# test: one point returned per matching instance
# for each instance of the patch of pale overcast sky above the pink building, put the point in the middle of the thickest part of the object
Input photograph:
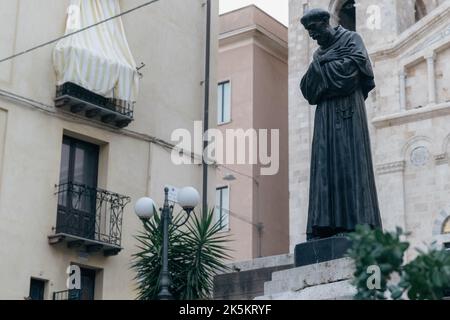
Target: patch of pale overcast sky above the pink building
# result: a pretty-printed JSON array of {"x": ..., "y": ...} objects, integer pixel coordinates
[{"x": 279, "y": 9}]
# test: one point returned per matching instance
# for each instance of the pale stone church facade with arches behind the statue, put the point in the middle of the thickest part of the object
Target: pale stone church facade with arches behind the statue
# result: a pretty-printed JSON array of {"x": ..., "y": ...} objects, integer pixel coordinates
[{"x": 409, "y": 111}]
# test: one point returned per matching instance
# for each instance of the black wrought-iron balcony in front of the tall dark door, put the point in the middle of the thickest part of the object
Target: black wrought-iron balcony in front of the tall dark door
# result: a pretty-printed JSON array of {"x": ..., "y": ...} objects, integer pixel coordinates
[{"x": 89, "y": 218}]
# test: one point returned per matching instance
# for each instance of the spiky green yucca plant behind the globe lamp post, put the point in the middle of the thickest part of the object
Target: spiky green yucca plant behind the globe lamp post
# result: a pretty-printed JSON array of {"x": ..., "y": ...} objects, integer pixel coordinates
[{"x": 196, "y": 253}]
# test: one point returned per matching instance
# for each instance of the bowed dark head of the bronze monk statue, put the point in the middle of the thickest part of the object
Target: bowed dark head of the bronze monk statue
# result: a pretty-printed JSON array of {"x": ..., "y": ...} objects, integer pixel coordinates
[{"x": 317, "y": 23}]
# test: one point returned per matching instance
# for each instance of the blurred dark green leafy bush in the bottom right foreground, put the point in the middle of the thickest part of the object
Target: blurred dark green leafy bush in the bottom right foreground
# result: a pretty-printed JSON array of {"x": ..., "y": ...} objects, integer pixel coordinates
[{"x": 425, "y": 278}]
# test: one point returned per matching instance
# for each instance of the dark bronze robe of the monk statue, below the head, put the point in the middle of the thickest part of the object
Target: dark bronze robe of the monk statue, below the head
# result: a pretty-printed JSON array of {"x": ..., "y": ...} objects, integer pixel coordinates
[{"x": 342, "y": 188}]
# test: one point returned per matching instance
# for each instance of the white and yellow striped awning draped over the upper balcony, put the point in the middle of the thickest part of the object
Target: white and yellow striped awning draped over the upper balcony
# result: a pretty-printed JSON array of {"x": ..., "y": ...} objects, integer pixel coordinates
[{"x": 98, "y": 59}]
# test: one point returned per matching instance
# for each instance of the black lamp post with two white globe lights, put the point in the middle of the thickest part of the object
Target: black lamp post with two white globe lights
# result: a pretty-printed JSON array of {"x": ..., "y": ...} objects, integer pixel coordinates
[{"x": 188, "y": 199}]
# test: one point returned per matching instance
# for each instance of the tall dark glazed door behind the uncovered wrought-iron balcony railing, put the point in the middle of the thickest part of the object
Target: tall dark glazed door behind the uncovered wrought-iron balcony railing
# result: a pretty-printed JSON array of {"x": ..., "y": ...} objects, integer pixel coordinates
[{"x": 78, "y": 180}]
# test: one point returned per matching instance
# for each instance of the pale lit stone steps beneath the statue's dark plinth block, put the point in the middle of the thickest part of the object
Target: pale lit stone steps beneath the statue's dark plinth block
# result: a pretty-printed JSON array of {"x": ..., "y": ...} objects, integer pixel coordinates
[{"x": 324, "y": 281}]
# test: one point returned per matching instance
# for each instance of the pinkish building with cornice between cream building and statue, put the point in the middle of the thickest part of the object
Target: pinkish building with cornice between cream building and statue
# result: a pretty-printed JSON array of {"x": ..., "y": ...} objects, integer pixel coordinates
[{"x": 253, "y": 93}]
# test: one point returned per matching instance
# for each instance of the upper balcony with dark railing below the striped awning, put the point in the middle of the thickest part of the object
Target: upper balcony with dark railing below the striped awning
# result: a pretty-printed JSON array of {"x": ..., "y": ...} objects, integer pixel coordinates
[{"x": 77, "y": 100}]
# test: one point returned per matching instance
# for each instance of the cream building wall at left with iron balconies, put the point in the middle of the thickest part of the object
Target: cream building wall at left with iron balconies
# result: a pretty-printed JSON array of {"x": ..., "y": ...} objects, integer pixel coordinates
[{"x": 169, "y": 37}]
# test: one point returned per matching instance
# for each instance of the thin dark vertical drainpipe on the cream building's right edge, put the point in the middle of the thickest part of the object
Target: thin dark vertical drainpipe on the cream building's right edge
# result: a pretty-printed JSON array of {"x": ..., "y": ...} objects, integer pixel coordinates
[{"x": 206, "y": 105}]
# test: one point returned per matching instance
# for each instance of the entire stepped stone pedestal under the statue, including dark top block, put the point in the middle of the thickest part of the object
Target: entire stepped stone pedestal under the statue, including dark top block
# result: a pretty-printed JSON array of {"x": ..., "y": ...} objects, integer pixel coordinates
[{"x": 317, "y": 271}]
